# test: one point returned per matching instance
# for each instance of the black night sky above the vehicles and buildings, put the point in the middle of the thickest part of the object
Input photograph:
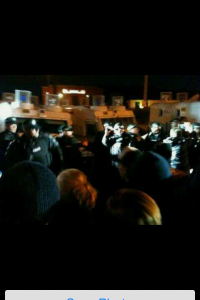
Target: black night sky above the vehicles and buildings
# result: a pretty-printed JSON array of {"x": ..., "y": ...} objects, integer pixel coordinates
[{"x": 133, "y": 83}]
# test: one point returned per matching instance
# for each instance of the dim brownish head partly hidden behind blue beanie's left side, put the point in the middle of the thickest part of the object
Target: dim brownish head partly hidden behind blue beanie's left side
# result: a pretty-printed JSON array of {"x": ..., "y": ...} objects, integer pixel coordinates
[{"x": 127, "y": 159}]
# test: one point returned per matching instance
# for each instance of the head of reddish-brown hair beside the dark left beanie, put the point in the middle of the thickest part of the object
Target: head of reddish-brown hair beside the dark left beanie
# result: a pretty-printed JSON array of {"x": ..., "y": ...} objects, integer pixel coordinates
[{"x": 74, "y": 183}]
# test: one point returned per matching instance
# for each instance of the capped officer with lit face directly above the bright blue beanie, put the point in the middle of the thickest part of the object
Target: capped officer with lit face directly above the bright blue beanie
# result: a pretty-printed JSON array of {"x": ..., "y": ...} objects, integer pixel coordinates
[{"x": 155, "y": 136}]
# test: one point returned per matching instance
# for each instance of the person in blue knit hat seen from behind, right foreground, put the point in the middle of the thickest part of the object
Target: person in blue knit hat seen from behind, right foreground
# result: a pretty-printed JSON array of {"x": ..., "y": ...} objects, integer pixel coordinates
[{"x": 151, "y": 174}]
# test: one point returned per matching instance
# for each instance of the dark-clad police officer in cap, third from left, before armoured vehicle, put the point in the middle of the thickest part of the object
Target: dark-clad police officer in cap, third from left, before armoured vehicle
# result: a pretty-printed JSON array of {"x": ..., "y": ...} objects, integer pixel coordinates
[{"x": 72, "y": 157}]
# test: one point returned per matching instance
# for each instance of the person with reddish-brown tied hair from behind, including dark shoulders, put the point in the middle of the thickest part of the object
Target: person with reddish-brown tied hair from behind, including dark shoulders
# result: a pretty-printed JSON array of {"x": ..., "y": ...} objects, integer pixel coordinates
[{"x": 78, "y": 200}]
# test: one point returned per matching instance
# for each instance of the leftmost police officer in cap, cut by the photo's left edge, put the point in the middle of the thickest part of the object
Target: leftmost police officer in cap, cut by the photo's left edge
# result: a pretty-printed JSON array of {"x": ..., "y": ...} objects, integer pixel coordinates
[{"x": 6, "y": 137}]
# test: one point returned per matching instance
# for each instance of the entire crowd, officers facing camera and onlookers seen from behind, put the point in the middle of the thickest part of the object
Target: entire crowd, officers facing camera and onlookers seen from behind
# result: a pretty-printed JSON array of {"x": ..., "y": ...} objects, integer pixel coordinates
[{"x": 150, "y": 179}]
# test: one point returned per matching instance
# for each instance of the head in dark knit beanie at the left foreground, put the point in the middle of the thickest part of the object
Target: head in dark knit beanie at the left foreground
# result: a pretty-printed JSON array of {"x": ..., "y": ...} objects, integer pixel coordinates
[{"x": 27, "y": 190}]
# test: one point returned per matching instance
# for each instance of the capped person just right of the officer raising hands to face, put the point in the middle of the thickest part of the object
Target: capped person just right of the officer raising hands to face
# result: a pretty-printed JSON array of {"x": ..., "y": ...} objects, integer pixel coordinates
[{"x": 136, "y": 140}]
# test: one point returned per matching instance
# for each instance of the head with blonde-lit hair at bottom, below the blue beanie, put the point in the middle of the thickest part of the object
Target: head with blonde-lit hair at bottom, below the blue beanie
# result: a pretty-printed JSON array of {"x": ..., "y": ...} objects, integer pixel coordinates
[{"x": 131, "y": 207}]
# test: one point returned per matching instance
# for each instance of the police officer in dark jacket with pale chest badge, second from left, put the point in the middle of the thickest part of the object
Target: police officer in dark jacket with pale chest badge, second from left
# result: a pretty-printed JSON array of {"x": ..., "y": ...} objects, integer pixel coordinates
[{"x": 34, "y": 146}]
